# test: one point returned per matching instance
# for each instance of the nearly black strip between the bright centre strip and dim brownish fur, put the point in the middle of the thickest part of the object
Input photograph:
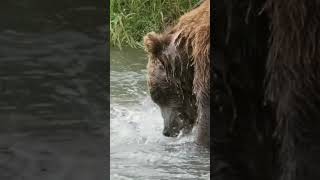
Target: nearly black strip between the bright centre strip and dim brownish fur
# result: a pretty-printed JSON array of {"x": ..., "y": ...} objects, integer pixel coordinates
[{"x": 242, "y": 124}]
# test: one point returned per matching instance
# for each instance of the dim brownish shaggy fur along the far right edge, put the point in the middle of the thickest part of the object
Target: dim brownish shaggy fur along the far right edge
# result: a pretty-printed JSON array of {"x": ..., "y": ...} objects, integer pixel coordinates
[{"x": 293, "y": 85}]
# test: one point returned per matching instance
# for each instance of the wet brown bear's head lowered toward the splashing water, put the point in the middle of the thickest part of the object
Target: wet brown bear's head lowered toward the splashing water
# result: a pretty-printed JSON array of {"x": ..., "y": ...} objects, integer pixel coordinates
[{"x": 170, "y": 77}]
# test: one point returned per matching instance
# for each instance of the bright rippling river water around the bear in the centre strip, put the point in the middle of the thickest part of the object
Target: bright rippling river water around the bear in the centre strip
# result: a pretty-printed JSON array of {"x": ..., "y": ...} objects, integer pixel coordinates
[{"x": 138, "y": 150}]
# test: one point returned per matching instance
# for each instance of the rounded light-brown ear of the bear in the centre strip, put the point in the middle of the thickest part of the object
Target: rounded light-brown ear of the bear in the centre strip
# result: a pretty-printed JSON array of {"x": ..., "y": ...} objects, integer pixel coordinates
[{"x": 153, "y": 44}]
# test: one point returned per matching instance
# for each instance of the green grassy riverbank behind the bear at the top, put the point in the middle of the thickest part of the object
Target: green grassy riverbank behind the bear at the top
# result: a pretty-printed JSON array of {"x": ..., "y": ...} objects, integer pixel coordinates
[{"x": 130, "y": 20}]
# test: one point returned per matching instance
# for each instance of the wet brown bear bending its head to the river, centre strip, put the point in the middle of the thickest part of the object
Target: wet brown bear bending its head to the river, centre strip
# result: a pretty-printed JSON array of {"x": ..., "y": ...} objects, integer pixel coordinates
[{"x": 178, "y": 69}]
